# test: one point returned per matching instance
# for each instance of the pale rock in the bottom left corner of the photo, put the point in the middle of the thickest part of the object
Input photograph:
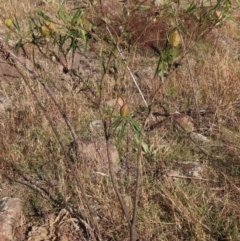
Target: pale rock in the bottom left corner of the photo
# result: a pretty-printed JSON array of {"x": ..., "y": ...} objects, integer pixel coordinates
[{"x": 10, "y": 211}]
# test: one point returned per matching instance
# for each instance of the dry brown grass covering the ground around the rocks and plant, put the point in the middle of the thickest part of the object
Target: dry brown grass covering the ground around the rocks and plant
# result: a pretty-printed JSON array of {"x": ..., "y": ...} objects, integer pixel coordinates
[{"x": 35, "y": 168}]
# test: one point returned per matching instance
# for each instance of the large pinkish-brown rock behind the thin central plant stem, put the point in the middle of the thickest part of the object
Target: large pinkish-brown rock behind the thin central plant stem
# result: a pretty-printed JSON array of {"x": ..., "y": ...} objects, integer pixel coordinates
[{"x": 93, "y": 154}]
